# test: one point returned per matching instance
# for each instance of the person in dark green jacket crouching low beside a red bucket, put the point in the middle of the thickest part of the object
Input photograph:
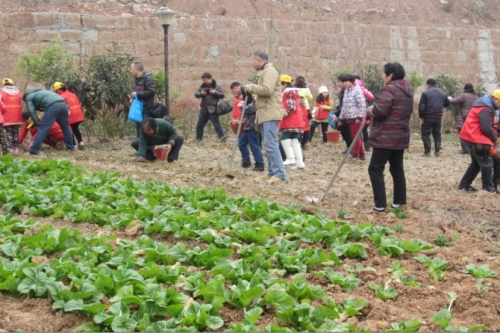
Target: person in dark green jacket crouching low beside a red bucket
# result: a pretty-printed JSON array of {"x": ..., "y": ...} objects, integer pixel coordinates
[{"x": 155, "y": 133}]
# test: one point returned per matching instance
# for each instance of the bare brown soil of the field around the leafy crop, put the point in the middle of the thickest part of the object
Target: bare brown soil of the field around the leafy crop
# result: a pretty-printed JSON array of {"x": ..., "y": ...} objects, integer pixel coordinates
[{"x": 435, "y": 206}]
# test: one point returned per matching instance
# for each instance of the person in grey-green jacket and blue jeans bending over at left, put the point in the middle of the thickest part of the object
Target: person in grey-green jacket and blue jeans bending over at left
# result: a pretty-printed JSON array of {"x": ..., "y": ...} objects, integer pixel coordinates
[{"x": 54, "y": 109}]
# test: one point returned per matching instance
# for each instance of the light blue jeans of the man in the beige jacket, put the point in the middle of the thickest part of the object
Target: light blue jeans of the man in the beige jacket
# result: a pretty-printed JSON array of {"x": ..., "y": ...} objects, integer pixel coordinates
[{"x": 274, "y": 160}]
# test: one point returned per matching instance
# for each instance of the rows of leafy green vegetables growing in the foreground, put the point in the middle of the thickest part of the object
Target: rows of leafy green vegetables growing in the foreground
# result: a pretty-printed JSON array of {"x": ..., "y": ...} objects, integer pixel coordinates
[{"x": 241, "y": 253}]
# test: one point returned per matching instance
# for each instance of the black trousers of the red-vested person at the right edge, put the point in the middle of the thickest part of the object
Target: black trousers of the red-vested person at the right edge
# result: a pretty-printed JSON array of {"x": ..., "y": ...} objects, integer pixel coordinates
[{"x": 480, "y": 161}]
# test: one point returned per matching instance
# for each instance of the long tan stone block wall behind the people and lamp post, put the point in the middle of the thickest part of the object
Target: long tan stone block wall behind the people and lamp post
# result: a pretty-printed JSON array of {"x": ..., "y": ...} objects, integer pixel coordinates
[{"x": 224, "y": 46}]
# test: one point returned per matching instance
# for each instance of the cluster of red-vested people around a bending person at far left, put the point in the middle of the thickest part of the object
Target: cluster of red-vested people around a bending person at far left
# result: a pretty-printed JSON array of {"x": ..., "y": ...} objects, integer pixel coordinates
[{"x": 61, "y": 109}]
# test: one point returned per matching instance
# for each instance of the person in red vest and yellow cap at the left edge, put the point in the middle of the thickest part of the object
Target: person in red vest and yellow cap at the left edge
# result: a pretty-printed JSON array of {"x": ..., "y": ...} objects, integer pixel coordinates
[{"x": 10, "y": 107}]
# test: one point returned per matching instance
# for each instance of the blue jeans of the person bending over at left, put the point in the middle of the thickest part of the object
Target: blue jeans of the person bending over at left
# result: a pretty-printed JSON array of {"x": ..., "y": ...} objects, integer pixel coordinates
[{"x": 57, "y": 112}]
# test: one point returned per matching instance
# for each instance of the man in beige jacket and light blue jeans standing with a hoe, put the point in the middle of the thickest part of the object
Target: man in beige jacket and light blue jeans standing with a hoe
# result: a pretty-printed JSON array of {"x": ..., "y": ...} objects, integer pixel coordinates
[{"x": 269, "y": 112}]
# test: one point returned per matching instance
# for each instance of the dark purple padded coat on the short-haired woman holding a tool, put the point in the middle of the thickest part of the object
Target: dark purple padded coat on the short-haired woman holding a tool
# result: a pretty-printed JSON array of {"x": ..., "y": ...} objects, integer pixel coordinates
[{"x": 392, "y": 110}]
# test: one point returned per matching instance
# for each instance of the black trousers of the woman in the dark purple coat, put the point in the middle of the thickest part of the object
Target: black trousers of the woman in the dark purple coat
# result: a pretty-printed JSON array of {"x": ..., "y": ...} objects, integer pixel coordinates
[{"x": 379, "y": 159}]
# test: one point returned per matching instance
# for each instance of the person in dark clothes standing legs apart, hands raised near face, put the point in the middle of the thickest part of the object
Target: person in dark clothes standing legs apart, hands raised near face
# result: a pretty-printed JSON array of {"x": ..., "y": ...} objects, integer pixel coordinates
[{"x": 210, "y": 92}]
